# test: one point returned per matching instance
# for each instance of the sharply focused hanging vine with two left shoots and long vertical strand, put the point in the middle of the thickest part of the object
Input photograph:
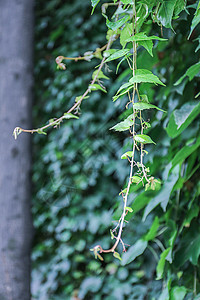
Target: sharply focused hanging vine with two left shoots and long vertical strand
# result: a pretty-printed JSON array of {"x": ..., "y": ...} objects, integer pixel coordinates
[{"x": 128, "y": 19}]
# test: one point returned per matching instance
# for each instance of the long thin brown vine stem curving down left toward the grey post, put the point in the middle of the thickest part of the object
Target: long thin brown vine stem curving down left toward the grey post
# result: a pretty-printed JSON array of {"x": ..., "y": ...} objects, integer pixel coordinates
[{"x": 55, "y": 122}]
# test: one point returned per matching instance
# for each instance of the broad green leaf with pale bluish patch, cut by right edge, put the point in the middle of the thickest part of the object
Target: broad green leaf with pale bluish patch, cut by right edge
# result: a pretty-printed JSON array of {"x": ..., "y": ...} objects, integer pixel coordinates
[{"x": 181, "y": 118}]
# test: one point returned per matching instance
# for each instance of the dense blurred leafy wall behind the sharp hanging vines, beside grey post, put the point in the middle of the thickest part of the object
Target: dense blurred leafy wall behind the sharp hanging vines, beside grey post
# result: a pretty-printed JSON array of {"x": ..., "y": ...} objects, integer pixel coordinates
[{"x": 78, "y": 172}]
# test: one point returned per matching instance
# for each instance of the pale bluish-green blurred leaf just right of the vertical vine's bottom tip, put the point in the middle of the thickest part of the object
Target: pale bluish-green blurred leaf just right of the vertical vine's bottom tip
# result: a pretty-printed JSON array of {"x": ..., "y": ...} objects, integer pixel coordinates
[{"x": 133, "y": 252}]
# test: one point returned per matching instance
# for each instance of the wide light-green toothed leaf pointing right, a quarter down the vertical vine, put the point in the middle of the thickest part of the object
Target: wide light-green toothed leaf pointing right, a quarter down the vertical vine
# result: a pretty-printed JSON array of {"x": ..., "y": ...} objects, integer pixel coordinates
[{"x": 142, "y": 75}]
